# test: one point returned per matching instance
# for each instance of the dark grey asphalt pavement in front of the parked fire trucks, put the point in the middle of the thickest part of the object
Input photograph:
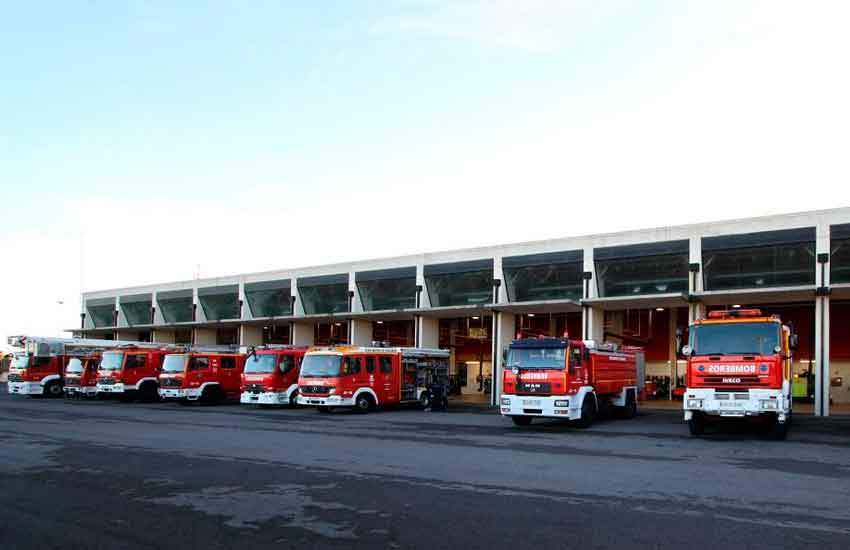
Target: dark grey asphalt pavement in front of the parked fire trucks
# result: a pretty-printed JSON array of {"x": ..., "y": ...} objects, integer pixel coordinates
[{"x": 94, "y": 474}]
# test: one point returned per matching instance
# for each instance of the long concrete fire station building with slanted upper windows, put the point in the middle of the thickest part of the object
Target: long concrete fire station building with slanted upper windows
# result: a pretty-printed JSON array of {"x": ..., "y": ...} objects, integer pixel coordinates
[{"x": 638, "y": 288}]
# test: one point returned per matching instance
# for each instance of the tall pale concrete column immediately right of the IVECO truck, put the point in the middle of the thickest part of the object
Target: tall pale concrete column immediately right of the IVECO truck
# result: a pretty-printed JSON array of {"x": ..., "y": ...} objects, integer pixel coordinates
[{"x": 822, "y": 377}]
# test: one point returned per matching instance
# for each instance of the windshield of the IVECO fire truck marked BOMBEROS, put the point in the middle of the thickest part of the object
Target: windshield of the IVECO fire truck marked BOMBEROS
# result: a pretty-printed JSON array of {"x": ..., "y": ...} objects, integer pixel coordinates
[{"x": 735, "y": 339}]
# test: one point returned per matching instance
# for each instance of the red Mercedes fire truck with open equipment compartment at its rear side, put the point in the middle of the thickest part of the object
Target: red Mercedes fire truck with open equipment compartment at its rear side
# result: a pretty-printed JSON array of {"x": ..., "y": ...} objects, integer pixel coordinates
[{"x": 369, "y": 377}]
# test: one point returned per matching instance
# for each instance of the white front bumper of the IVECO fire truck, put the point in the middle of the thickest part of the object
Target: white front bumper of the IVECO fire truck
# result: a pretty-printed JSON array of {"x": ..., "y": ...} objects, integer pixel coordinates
[{"x": 740, "y": 404}]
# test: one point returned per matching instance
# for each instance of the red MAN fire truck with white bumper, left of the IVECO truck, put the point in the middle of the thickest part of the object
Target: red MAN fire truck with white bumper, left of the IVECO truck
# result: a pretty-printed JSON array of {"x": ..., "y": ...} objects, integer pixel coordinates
[{"x": 569, "y": 379}]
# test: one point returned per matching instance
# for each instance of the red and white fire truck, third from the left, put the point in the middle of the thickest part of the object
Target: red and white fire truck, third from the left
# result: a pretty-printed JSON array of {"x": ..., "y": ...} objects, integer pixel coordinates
[{"x": 132, "y": 371}]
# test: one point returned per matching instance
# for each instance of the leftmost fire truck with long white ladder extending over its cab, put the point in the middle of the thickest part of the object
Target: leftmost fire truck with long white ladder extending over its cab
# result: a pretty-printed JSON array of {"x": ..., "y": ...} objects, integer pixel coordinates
[{"x": 40, "y": 369}]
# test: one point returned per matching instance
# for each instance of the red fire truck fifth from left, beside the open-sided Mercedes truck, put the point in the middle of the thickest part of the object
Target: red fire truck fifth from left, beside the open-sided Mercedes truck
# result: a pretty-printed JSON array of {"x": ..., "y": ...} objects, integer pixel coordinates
[{"x": 271, "y": 375}]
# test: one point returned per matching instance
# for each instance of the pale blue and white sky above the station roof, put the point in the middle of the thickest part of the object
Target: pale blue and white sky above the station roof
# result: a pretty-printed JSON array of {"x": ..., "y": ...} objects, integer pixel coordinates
[{"x": 145, "y": 141}]
